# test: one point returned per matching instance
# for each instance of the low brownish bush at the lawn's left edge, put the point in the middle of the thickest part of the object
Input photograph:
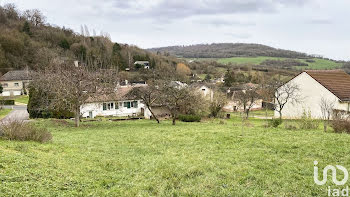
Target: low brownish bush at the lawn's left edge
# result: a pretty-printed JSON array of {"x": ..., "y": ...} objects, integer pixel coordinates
[{"x": 20, "y": 131}]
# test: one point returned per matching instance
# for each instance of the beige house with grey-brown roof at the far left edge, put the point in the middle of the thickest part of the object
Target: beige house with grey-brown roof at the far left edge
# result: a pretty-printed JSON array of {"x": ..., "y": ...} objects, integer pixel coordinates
[{"x": 15, "y": 82}]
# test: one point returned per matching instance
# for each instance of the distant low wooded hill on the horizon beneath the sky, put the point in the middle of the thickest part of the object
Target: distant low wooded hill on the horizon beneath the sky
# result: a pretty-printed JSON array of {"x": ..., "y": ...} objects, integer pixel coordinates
[{"x": 225, "y": 50}]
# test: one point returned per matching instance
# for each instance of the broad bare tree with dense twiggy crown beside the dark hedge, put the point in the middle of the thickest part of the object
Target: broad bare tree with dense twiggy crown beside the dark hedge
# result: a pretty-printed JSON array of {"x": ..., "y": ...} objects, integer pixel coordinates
[{"x": 71, "y": 87}]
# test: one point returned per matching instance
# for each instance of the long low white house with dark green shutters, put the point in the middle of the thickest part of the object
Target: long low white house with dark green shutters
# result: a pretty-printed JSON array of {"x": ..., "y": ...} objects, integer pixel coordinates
[{"x": 119, "y": 104}]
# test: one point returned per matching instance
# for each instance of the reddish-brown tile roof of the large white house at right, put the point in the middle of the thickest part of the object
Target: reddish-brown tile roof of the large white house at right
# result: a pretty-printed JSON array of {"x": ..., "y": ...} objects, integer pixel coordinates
[{"x": 336, "y": 81}]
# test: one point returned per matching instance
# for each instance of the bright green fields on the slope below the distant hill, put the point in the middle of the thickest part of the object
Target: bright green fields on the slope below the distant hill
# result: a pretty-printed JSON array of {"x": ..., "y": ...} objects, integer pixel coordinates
[{"x": 318, "y": 64}]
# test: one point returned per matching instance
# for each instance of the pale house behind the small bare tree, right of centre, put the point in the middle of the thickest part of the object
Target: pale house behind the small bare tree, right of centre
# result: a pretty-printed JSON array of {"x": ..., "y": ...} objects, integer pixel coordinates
[{"x": 233, "y": 104}]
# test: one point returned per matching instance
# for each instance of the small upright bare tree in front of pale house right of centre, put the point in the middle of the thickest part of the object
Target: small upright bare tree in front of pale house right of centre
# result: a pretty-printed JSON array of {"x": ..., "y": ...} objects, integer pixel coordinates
[{"x": 247, "y": 98}]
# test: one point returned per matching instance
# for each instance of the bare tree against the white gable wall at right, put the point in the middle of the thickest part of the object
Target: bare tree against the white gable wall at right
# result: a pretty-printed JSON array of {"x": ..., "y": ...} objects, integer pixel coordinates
[{"x": 284, "y": 93}]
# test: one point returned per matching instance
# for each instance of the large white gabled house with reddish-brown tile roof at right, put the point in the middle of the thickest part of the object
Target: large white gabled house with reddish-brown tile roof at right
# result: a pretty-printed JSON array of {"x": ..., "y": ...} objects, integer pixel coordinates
[{"x": 331, "y": 85}]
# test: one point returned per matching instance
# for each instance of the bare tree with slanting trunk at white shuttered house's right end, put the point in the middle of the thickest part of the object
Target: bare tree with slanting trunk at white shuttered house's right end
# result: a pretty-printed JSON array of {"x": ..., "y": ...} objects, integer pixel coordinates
[{"x": 149, "y": 95}]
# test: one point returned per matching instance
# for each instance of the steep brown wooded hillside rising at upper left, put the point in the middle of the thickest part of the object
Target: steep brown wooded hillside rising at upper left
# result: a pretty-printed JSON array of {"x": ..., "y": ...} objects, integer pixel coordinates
[{"x": 27, "y": 40}]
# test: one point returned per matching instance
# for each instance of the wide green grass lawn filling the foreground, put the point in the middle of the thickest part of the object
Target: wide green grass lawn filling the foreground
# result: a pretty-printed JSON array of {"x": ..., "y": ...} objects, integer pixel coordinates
[{"x": 143, "y": 158}]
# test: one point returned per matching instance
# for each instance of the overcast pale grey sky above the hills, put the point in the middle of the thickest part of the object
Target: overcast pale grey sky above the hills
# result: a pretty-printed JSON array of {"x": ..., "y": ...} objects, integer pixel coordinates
[{"x": 312, "y": 26}]
